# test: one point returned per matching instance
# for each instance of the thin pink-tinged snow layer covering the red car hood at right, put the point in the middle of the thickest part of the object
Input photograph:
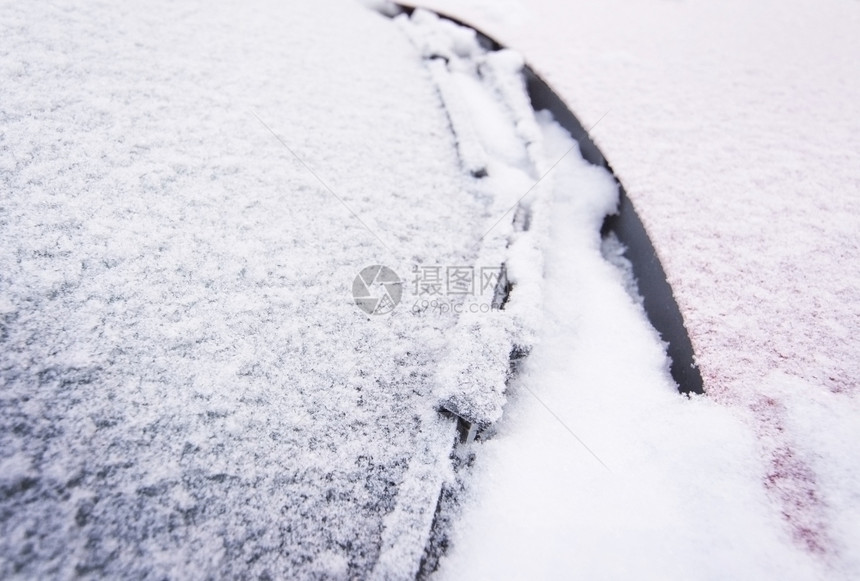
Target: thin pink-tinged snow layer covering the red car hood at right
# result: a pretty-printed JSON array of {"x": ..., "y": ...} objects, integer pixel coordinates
[{"x": 734, "y": 129}]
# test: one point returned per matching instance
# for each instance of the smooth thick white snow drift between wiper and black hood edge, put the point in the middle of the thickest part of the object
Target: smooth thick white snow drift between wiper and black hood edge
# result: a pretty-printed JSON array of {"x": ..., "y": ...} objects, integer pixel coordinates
[{"x": 599, "y": 468}]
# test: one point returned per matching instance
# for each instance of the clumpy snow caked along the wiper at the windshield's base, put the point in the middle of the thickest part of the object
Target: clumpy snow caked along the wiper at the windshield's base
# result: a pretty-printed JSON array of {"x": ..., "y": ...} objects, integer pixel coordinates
[{"x": 499, "y": 140}]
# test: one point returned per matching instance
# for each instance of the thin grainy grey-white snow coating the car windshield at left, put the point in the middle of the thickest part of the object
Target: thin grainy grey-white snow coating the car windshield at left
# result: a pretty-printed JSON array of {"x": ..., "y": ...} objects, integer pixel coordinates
[{"x": 188, "y": 389}]
